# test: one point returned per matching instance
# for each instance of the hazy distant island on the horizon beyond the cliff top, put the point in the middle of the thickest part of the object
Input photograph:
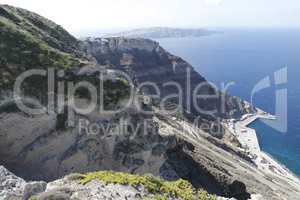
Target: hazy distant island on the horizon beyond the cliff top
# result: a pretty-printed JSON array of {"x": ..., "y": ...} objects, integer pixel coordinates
[{"x": 162, "y": 32}]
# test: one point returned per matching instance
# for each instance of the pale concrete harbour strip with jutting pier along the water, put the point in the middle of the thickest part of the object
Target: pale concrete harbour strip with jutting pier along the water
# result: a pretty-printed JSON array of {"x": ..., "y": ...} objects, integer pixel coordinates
[{"x": 248, "y": 138}]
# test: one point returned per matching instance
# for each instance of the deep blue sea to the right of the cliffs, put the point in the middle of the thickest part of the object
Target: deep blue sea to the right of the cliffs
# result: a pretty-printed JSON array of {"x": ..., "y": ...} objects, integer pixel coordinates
[{"x": 245, "y": 57}]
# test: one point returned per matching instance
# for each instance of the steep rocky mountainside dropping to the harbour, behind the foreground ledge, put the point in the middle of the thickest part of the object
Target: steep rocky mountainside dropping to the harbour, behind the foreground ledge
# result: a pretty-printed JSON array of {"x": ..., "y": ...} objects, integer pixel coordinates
[{"x": 45, "y": 147}]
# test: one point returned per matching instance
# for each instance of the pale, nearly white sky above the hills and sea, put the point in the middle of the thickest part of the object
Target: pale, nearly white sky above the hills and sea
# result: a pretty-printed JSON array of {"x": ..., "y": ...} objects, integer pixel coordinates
[{"x": 79, "y": 16}]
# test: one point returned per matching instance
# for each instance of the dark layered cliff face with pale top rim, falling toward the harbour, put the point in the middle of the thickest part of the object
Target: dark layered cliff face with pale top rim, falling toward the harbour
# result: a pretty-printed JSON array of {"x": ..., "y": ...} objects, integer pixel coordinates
[{"x": 146, "y": 61}]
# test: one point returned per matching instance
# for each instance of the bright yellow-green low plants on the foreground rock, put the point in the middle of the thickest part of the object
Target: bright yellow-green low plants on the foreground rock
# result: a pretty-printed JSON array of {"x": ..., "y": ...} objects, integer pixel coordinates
[{"x": 160, "y": 189}]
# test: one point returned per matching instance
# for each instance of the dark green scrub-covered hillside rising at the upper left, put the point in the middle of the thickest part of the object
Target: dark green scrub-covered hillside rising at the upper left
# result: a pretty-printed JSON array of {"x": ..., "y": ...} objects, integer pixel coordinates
[{"x": 28, "y": 41}]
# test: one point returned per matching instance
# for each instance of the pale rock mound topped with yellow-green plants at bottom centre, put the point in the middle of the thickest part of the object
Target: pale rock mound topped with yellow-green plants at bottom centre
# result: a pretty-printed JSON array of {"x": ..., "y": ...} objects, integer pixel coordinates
[{"x": 116, "y": 185}]
